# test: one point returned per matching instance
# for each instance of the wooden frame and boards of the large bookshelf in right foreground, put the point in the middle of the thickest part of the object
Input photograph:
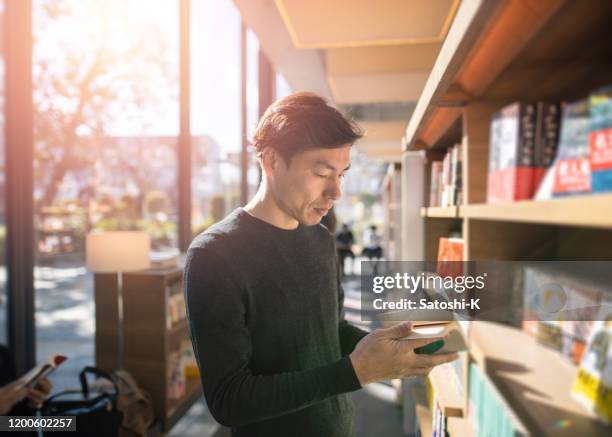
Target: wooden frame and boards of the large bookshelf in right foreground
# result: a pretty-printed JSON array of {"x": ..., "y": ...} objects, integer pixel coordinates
[{"x": 496, "y": 53}]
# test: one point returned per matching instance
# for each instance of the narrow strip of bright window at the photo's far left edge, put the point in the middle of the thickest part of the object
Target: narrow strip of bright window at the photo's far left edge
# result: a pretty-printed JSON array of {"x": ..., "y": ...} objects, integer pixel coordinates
[{"x": 3, "y": 290}]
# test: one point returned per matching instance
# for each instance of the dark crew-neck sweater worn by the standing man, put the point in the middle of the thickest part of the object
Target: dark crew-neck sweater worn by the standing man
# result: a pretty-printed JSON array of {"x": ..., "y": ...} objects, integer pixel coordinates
[{"x": 267, "y": 325}]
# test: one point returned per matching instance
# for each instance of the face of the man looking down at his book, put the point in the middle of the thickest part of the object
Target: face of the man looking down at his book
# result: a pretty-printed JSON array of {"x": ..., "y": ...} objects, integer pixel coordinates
[{"x": 307, "y": 188}]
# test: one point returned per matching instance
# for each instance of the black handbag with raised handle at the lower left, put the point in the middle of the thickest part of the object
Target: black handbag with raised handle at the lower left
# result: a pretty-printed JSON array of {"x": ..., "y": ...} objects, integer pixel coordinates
[{"x": 96, "y": 412}]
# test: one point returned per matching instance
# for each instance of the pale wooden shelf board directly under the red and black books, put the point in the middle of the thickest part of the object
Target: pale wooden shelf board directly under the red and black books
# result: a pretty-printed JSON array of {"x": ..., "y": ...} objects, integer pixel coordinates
[{"x": 589, "y": 211}]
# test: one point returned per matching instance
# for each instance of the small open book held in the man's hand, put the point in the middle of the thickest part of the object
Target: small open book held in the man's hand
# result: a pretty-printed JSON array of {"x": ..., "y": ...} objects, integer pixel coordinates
[{"x": 449, "y": 333}]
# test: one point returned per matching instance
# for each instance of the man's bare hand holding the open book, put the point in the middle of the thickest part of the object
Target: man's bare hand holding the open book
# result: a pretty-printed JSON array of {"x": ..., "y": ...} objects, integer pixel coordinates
[{"x": 382, "y": 354}]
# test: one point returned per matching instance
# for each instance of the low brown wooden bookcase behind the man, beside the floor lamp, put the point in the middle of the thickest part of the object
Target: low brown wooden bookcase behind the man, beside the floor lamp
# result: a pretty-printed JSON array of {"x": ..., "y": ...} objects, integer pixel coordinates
[{"x": 150, "y": 339}]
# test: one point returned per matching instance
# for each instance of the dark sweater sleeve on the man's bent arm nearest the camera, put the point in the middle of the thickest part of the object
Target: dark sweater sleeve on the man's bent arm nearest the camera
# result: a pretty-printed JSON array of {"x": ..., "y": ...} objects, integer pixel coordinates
[{"x": 221, "y": 340}]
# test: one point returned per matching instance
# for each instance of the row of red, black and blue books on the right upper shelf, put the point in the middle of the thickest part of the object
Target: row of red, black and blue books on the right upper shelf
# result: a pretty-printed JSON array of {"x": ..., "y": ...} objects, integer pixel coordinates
[{"x": 543, "y": 149}]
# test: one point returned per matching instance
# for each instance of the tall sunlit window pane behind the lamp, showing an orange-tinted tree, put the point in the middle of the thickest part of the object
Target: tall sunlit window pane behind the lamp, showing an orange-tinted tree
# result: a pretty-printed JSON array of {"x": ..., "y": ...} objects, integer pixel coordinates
[{"x": 106, "y": 128}]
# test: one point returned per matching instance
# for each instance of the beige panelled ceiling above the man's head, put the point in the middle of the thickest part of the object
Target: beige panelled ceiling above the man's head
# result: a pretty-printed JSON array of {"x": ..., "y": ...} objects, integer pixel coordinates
[{"x": 356, "y": 53}]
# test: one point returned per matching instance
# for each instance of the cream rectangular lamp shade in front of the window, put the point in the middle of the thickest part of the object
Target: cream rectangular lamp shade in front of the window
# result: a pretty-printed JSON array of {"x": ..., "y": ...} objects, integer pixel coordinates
[{"x": 117, "y": 251}]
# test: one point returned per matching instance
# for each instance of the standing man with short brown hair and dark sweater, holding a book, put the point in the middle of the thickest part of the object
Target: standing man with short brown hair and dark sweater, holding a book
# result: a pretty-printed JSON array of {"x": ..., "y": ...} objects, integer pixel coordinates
[{"x": 263, "y": 293}]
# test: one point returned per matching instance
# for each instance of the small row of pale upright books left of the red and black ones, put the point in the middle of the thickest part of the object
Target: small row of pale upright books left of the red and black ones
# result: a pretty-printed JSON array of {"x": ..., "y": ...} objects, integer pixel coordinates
[{"x": 445, "y": 186}]
